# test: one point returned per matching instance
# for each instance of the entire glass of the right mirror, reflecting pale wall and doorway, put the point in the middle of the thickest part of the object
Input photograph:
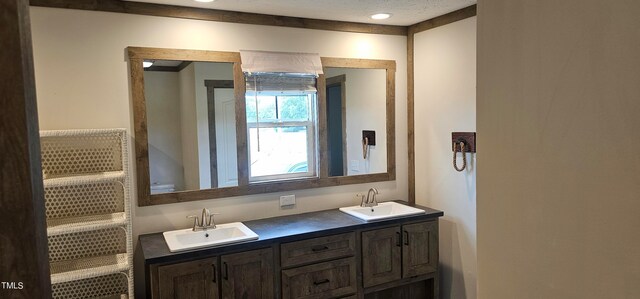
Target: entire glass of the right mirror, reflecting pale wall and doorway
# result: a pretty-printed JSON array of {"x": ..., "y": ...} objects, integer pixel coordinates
[{"x": 356, "y": 101}]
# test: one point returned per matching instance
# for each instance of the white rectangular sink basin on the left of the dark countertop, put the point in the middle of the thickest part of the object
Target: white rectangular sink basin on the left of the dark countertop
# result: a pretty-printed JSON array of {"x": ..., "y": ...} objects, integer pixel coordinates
[{"x": 185, "y": 239}]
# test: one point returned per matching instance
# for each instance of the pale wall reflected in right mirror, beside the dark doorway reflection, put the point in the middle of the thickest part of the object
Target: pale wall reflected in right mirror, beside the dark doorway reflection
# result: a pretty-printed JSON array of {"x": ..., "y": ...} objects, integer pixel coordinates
[{"x": 366, "y": 104}]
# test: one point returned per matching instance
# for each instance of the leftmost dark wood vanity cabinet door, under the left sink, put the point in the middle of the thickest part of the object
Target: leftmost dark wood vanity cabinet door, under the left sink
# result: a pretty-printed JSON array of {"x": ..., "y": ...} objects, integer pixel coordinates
[{"x": 188, "y": 280}]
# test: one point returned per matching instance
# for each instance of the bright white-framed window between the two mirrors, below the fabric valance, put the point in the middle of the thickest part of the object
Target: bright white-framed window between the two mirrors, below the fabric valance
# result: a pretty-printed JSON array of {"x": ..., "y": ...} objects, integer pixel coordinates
[{"x": 282, "y": 127}]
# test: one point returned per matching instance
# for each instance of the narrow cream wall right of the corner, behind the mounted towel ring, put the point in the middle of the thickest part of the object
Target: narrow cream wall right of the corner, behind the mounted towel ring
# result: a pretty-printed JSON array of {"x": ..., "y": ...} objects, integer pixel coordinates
[{"x": 445, "y": 99}]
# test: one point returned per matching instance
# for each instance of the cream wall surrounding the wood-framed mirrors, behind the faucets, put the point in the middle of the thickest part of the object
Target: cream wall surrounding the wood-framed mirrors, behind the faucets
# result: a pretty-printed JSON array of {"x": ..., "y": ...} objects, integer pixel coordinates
[{"x": 82, "y": 81}]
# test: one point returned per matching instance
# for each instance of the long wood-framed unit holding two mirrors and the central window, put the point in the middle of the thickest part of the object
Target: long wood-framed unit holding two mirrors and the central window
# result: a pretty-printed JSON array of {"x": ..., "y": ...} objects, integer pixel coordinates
[{"x": 203, "y": 130}]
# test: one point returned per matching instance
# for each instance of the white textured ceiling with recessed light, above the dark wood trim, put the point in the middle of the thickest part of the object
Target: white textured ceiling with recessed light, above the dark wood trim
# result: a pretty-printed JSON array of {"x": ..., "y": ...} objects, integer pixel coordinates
[{"x": 404, "y": 12}]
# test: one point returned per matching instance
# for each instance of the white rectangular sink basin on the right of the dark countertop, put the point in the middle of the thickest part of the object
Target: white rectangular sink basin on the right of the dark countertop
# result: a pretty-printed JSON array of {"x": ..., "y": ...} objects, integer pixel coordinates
[{"x": 384, "y": 210}]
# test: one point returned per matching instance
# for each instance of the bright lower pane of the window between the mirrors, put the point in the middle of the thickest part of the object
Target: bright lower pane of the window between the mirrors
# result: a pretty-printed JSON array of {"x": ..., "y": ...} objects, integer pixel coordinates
[{"x": 283, "y": 150}]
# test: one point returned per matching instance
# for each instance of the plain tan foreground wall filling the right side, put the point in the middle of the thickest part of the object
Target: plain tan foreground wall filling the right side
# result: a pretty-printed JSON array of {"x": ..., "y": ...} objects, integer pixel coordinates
[{"x": 559, "y": 171}]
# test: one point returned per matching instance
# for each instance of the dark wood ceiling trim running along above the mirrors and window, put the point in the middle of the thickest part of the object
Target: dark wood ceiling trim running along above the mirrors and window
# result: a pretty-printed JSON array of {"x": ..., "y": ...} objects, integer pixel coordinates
[{"x": 163, "y": 10}]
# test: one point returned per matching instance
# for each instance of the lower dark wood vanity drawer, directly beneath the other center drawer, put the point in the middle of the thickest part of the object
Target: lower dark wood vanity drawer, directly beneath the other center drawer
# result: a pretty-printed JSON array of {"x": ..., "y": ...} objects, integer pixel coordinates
[{"x": 323, "y": 280}]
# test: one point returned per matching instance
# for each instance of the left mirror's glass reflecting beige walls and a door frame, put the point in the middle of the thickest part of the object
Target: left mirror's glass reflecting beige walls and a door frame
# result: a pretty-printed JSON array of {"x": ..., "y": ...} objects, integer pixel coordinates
[{"x": 190, "y": 111}]
